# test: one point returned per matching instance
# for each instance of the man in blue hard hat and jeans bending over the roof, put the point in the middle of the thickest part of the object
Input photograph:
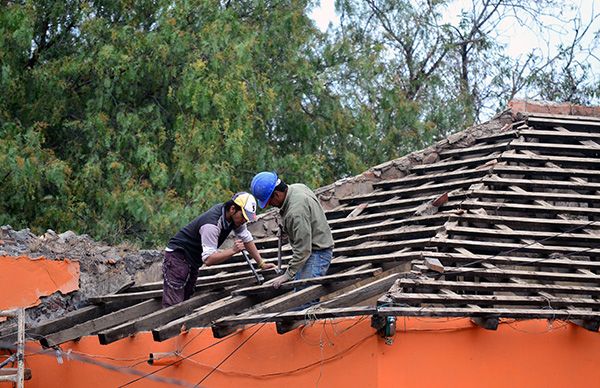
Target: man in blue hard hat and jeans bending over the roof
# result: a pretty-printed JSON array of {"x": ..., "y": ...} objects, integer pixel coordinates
[{"x": 304, "y": 222}]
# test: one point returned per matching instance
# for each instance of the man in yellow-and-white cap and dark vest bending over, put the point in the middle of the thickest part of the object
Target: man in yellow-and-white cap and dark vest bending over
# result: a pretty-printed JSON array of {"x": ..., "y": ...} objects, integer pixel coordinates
[{"x": 198, "y": 243}]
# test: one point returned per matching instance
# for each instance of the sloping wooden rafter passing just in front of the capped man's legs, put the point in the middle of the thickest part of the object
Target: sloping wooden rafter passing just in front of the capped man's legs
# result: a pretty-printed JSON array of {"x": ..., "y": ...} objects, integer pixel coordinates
[{"x": 157, "y": 318}]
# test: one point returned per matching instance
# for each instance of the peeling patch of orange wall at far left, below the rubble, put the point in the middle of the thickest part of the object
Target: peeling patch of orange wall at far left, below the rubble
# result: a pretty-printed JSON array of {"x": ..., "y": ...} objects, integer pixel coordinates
[{"x": 24, "y": 280}]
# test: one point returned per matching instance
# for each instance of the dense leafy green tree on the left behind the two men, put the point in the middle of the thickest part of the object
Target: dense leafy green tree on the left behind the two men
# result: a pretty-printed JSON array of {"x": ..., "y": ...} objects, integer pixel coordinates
[{"x": 126, "y": 119}]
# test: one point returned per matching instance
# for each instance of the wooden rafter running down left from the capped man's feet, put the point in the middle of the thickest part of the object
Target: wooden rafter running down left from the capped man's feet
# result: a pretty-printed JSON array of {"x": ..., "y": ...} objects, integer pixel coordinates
[{"x": 101, "y": 323}]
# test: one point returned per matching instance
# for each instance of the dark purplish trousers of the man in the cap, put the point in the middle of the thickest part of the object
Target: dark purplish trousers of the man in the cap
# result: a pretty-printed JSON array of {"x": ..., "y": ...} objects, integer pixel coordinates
[{"x": 179, "y": 278}]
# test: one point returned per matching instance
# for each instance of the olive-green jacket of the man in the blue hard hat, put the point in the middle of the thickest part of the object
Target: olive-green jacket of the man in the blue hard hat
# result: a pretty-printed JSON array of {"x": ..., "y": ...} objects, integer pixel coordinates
[{"x": 305, "y": 224}]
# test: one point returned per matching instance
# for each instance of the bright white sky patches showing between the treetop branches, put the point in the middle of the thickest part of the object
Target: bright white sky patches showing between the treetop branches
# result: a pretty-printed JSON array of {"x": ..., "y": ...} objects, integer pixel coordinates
[{"x": 519, "y": 39}]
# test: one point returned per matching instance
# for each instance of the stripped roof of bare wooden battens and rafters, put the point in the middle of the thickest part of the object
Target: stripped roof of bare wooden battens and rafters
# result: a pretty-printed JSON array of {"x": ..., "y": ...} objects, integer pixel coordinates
[{"x": 499, "y": 221}]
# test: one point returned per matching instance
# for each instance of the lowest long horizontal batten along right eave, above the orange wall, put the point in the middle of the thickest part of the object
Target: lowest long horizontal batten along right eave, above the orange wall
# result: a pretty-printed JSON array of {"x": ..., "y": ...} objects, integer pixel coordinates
[{"x": 484, "y": 312}]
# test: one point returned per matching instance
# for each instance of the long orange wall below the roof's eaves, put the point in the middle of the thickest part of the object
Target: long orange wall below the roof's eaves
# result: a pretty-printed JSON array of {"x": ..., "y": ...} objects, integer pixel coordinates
[{"x": 424, "y": 353}]
